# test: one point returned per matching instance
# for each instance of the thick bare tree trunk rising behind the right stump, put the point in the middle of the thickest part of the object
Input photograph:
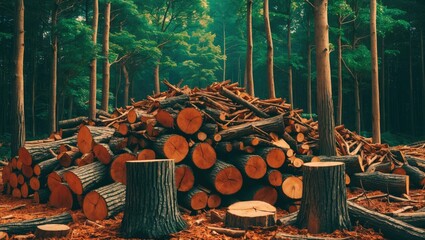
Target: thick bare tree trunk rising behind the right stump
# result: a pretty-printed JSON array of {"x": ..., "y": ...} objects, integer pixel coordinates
[{"x": 324, "y": 88}]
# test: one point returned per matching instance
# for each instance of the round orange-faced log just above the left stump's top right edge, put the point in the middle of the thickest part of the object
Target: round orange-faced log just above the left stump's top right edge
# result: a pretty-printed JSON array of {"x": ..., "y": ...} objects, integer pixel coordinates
[{"x": 172, "y": 146}]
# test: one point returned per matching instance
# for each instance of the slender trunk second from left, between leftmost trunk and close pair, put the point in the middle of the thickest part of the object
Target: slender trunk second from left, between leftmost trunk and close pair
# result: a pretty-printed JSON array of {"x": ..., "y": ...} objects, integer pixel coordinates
[{"x": 54, "y": 69}]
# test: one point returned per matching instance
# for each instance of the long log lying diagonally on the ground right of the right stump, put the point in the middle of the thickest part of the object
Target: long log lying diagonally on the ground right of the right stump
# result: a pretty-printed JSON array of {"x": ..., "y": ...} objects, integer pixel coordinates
[{"x": 390, "y": 227}]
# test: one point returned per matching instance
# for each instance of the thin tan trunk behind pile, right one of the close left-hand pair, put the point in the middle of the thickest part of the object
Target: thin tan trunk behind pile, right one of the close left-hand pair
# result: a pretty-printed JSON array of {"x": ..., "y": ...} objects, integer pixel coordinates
[{"x": 106, "y": 65}]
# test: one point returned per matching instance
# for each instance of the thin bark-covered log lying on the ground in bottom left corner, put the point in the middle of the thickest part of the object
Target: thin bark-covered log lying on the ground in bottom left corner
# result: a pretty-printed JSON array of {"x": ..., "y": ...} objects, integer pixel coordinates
[{"x": 31, "y": 225}]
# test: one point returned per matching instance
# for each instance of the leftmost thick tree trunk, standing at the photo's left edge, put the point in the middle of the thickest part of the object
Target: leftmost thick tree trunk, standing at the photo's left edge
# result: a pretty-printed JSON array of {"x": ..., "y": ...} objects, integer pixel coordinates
[{"x": 18, "y": 116}]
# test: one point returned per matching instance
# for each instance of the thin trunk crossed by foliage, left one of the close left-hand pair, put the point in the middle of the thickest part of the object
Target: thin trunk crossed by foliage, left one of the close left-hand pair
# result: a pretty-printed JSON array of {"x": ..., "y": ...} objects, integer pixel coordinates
[{"x": 93, "y": 63}]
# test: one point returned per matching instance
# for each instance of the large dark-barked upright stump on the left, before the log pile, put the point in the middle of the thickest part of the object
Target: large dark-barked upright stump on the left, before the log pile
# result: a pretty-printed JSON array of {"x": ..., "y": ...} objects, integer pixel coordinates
[{"x": 151, "y": 209}]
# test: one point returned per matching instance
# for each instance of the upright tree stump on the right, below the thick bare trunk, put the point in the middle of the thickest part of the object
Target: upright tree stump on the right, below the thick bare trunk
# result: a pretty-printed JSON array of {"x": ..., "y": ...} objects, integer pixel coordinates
[{"x": 324, "y": 201}]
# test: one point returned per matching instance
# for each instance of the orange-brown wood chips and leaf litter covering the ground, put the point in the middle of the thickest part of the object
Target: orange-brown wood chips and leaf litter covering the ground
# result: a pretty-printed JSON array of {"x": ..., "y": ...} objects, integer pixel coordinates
[{"x": 109, "y": 229}]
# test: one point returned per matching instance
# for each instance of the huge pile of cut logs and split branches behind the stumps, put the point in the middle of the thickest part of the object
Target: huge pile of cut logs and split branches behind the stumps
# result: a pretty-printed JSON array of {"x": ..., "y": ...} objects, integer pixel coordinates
[{"x": 227, "y": 146}]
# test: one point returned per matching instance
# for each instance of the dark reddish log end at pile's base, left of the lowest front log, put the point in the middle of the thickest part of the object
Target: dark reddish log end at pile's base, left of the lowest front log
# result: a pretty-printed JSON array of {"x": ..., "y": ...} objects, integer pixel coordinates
[{"x": 62, "y": 197}]
